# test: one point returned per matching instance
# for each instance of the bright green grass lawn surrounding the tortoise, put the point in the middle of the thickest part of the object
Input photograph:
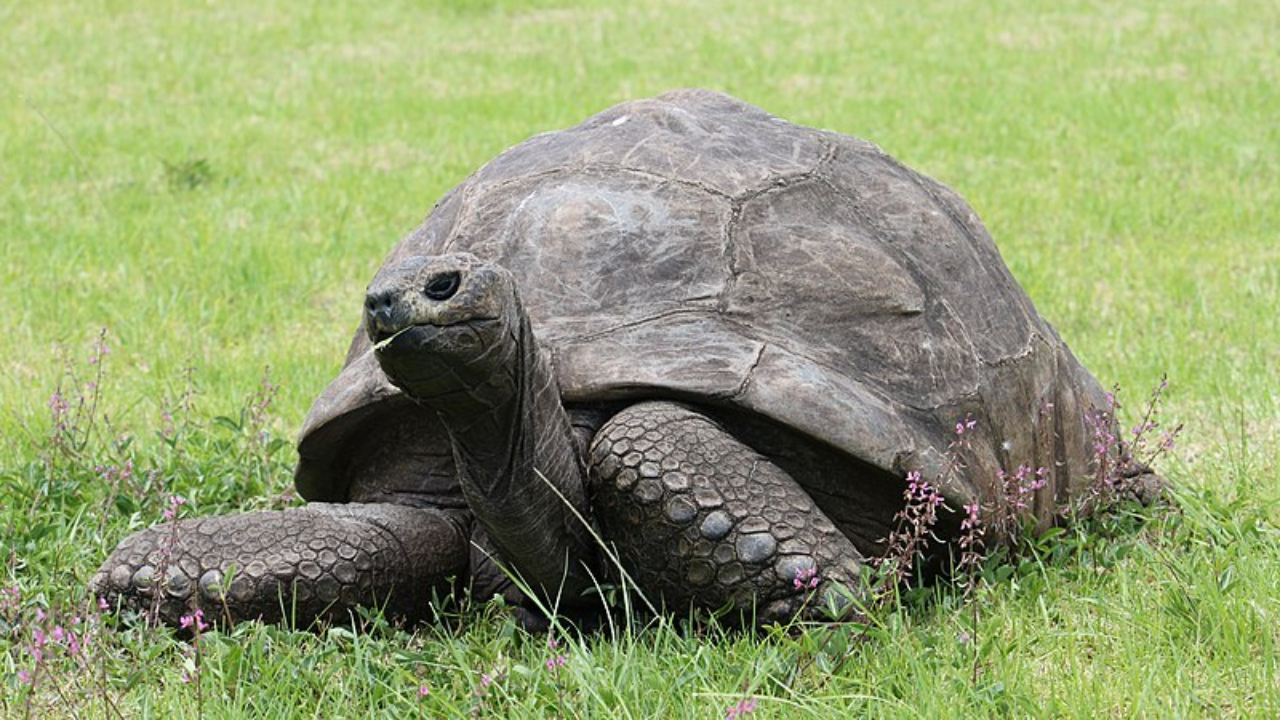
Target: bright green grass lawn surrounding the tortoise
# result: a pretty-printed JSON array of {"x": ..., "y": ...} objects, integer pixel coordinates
[{"x": 216, "y": 183}]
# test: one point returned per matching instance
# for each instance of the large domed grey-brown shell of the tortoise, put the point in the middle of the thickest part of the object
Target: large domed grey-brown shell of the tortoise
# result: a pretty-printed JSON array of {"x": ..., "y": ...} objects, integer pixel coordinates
[{"x": 696, "y": 247}]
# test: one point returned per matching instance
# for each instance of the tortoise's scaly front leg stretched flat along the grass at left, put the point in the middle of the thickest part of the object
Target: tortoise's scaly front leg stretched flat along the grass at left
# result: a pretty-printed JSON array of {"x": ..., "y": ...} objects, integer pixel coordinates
[{"x": 299, "y": 564}]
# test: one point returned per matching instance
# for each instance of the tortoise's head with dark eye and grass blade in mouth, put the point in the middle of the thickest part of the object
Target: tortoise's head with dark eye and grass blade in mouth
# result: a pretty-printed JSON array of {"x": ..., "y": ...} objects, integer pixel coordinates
[{"x": 446, "y": 329}]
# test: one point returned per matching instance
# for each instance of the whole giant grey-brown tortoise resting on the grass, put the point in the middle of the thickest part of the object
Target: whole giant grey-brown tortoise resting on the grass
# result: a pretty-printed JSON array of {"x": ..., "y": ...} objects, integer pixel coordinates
[{"x": 687, "y": 331}]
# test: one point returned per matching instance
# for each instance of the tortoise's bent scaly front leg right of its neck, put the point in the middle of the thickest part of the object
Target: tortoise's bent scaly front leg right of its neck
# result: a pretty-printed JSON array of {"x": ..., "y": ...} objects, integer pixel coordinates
[{"x": 702, "y": 520}]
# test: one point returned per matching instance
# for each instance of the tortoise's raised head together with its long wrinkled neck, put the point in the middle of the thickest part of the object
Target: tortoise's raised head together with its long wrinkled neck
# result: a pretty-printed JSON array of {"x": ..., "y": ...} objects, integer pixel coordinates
[{"x": 451, "y": 332}]
